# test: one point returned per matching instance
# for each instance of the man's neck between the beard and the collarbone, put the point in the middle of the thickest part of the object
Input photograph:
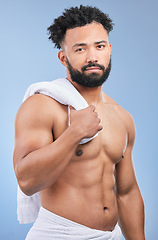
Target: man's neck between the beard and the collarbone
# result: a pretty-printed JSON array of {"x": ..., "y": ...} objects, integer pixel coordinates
[{"x": 91, "y": 95}]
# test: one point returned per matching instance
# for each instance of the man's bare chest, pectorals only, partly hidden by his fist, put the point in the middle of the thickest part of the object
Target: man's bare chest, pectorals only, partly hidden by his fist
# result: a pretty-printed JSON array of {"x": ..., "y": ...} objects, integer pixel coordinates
[{"x": 109, "y": 144}]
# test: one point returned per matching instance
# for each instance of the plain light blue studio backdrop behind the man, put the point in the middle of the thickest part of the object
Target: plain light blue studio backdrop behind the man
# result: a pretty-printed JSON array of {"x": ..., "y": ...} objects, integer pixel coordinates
[{"x": 26, "y": 56}]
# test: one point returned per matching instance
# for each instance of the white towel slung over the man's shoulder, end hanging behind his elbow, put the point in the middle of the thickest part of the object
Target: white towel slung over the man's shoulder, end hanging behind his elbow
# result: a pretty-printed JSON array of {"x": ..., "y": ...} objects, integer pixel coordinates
[{"x": 64, "y": 92}]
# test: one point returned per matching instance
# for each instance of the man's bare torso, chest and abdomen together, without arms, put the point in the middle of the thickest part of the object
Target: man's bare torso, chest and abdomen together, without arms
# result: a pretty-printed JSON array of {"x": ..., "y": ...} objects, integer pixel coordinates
[{"x": 85, "y": 192}]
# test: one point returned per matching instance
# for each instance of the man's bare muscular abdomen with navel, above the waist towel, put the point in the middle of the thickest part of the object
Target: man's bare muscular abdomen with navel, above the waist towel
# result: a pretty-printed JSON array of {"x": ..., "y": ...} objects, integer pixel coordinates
[{"x": 85, "y": 194}]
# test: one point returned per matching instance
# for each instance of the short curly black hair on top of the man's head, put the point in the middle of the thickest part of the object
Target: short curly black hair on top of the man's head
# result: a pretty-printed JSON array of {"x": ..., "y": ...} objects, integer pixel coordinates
[{"x": 77, "y": 17}]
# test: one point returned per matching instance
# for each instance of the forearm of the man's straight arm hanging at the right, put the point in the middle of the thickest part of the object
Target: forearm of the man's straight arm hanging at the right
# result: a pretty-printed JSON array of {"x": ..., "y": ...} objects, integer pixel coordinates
[{"x": 131, "y": 215}]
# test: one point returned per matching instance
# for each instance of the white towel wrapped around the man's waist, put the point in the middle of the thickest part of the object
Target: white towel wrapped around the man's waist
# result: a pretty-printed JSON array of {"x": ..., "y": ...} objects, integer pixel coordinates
[{"x": 49, "y": 226}]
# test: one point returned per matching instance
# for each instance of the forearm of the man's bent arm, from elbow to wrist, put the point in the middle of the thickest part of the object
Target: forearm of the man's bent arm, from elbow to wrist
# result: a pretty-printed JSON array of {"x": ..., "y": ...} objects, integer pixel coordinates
[{"x": 41, "y": 168}]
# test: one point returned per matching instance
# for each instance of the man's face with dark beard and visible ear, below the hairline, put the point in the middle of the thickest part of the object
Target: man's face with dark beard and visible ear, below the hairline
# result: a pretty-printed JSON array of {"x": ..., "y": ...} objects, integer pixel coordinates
[{"x": 86, "y": 54}]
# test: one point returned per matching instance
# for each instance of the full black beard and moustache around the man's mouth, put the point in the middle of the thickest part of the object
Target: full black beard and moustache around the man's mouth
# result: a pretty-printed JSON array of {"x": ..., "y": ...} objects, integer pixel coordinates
[{"x": 89, "y": 80}]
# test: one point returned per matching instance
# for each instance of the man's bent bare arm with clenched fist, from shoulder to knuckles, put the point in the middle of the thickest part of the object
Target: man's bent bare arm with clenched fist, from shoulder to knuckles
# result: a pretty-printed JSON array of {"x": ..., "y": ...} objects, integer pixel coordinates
[{"x": 38, "y": 161}]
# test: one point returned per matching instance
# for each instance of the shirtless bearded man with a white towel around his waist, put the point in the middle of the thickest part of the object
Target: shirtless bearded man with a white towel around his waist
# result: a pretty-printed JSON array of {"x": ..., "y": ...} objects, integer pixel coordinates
[{"x": 82, "y": 187}]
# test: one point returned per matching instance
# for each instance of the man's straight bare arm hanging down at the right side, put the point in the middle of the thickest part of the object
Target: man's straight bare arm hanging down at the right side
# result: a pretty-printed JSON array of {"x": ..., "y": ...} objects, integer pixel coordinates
[{"x": 130, "y": 202}]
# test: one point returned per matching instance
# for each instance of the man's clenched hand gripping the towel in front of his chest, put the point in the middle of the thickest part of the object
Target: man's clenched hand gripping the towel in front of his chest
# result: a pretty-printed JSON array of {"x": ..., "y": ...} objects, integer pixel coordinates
[{"x": 86, "y": 121}]
